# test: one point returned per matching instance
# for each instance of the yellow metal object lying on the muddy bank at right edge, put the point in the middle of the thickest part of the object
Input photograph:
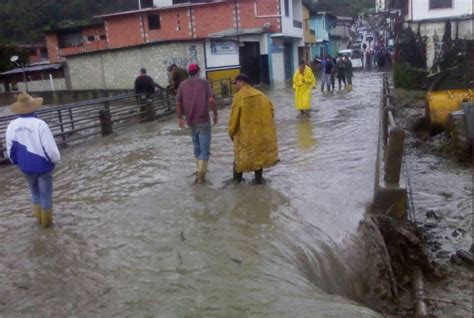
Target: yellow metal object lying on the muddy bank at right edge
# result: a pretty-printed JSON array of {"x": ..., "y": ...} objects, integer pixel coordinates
[{"x": 440, "y": 103}]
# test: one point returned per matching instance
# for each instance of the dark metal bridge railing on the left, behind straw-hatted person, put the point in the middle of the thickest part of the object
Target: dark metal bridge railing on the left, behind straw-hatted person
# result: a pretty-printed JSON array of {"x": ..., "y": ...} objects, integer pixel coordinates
[{"x": 74, "y": 122}]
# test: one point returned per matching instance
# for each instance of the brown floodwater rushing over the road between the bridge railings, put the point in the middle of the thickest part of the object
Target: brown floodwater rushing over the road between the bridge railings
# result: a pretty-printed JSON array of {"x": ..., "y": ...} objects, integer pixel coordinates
[{"x": 134, "y": 236}]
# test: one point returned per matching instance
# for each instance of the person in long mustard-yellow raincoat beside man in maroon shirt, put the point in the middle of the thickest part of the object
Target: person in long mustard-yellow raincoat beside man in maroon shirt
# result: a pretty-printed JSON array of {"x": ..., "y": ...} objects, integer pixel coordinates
[{"x": 252, "y": 129}]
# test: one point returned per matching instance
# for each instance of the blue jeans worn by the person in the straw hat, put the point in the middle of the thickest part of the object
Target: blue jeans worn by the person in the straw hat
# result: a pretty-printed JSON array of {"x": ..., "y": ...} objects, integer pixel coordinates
[{"x": 41, "y": 186}]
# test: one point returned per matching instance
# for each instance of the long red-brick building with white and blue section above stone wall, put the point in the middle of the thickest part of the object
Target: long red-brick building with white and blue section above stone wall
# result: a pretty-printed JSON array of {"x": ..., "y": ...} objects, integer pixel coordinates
[{"x": 260, "y": 37}]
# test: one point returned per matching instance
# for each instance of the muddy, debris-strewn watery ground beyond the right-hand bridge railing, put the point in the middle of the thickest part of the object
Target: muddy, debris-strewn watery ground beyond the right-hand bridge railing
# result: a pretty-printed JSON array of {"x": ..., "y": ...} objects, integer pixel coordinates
[{"x": 441, "y": 187}]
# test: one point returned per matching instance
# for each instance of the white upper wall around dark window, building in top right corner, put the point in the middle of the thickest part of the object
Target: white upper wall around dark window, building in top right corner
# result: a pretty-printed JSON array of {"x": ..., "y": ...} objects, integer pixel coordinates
[{"x": 420, "y": 10}]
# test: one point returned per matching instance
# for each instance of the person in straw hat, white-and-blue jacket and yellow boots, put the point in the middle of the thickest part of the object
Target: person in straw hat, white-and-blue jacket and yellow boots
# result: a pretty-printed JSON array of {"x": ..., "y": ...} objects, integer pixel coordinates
[{"x": 31, "y": 146}]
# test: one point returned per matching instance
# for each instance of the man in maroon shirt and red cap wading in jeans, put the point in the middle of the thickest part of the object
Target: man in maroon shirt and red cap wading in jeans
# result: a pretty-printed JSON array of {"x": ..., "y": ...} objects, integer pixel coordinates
[{"x": 194, "y": 99}]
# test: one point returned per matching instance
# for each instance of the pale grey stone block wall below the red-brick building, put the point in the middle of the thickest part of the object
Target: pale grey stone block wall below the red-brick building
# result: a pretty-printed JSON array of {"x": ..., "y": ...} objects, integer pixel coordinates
[{"x": 117, "y": 69}]
